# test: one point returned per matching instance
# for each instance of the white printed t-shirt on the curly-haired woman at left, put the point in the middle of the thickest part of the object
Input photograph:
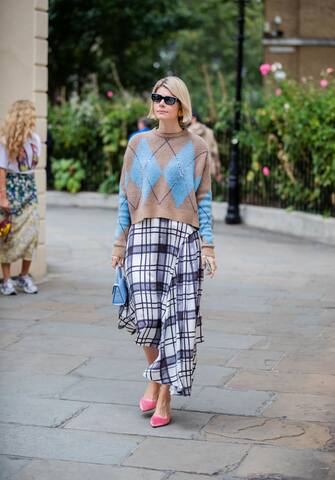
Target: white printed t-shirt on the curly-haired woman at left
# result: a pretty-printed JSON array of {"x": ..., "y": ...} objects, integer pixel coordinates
[{"x": 26, "y": 160}]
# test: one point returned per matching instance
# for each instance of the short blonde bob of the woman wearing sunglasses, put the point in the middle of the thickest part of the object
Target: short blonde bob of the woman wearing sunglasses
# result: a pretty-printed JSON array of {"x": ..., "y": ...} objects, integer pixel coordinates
[{"x": 178, "y": 89}]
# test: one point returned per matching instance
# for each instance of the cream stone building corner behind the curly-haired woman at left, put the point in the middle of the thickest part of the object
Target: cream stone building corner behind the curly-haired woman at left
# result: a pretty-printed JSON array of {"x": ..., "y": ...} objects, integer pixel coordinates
[{"x": 24, "y": 75}]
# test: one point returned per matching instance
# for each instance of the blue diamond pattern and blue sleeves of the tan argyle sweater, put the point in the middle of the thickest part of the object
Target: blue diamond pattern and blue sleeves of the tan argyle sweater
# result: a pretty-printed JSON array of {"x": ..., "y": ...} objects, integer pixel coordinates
[{"x": 146, "y": 170}]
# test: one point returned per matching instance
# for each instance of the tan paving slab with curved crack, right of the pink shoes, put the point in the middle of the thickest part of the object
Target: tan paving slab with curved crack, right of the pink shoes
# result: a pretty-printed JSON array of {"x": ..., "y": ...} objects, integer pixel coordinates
[{"x": 270, "y": 431}]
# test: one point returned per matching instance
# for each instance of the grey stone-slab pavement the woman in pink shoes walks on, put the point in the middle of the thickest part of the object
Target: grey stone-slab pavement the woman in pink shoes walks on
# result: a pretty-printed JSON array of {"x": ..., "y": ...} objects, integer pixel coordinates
[{"x": 263, "y": 405}]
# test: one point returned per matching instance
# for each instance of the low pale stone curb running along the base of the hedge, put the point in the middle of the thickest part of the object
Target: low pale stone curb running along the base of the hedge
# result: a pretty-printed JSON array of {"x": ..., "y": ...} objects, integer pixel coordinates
[{"x": 299, "y": 224}]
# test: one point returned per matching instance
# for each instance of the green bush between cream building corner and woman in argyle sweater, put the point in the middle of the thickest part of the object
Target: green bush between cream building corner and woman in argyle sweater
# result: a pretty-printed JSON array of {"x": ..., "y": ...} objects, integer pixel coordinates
[{"x": 95, "y": 132}]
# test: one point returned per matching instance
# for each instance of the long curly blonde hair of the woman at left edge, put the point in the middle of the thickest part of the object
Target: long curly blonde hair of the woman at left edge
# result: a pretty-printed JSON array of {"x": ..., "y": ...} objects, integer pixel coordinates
[{"x": 18, "y": 126}]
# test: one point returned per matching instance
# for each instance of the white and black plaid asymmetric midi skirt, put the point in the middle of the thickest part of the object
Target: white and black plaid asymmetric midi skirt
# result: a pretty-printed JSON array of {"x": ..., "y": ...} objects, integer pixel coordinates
[{"x": 164, "y": 274}]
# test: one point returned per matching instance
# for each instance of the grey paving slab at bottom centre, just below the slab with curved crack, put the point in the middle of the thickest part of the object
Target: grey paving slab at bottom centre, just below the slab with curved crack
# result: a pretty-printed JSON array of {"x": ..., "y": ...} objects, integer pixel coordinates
[{"x": 187, "y": 455}]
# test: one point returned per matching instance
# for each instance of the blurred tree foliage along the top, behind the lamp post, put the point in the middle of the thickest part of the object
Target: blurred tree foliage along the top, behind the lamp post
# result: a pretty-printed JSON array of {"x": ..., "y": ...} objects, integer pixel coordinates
[{"x": 133, "y": 43}]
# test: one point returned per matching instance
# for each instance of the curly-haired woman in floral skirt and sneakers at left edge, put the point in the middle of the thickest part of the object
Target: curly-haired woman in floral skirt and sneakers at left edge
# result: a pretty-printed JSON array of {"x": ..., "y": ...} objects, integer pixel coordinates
[{"x": 19, "y": 151}]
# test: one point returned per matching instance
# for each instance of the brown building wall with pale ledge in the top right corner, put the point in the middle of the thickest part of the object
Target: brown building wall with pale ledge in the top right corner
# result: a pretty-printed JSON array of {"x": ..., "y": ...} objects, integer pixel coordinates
[{"x": 300, "y": 34}]
